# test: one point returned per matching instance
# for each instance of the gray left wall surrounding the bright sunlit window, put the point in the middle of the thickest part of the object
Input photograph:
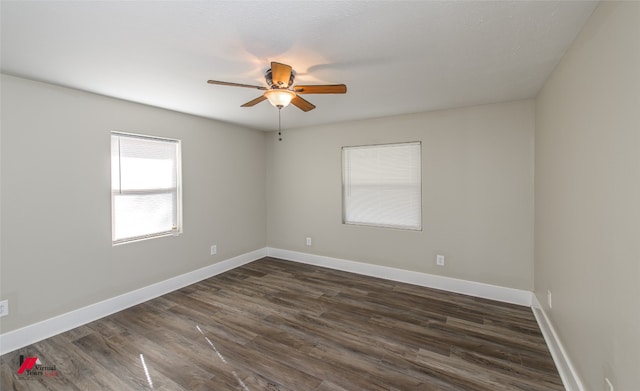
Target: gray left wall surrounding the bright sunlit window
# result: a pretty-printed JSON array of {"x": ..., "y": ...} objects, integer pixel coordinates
[{"x": 56, "y": 210}]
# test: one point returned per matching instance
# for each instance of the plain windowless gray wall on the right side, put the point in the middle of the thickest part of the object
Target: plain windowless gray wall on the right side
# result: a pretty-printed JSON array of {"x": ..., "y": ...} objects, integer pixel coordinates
[{"x": 587, "y": 225}]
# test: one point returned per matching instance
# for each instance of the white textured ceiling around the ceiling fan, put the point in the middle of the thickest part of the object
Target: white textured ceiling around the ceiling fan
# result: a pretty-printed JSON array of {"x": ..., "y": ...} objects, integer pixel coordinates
[{"x": 395, "y": 57}]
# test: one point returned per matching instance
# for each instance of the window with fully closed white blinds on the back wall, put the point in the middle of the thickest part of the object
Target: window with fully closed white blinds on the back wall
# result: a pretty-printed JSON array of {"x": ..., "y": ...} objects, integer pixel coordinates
[{"x": 381, "y": 185}]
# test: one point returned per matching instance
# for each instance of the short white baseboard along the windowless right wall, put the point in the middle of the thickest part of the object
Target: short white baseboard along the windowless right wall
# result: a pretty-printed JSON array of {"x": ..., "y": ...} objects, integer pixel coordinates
[{"x": 567, "y": 372}]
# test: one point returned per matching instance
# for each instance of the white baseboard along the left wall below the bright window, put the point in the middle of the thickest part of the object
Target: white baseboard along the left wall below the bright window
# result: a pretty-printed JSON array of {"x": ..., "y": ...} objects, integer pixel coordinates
[{"x": 27, "y": 335}]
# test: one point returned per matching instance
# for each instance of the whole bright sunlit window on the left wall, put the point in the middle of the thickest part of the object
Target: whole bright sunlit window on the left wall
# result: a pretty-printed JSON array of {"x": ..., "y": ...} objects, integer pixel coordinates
[{"x": 145, "y": 187}]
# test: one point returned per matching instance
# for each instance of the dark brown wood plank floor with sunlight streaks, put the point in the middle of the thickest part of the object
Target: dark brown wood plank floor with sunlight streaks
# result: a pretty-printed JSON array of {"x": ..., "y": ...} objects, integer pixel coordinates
[{"x": 278, "y": 325}]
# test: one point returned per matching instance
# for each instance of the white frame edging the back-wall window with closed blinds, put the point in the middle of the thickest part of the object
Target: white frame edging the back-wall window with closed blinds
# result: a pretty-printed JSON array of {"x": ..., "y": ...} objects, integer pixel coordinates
[{"x": 345, "y": 221}]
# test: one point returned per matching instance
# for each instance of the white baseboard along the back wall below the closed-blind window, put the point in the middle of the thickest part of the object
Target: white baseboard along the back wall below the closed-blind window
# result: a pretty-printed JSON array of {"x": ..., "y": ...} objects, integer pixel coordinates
[{"x": 477, "y": 289}]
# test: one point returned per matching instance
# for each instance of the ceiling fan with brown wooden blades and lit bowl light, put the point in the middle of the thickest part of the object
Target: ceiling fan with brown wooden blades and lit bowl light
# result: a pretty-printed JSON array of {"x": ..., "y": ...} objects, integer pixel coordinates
[{"x": 281, "y": 91}]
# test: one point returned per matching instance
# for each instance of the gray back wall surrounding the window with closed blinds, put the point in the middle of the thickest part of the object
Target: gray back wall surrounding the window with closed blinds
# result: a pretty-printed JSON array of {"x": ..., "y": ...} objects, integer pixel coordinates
[{"x": 477, "y": 193}]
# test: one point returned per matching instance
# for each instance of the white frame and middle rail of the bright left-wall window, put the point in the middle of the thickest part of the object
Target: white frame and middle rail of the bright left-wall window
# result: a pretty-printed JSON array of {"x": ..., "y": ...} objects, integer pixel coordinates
[{"x": 178, "y": 228}]
